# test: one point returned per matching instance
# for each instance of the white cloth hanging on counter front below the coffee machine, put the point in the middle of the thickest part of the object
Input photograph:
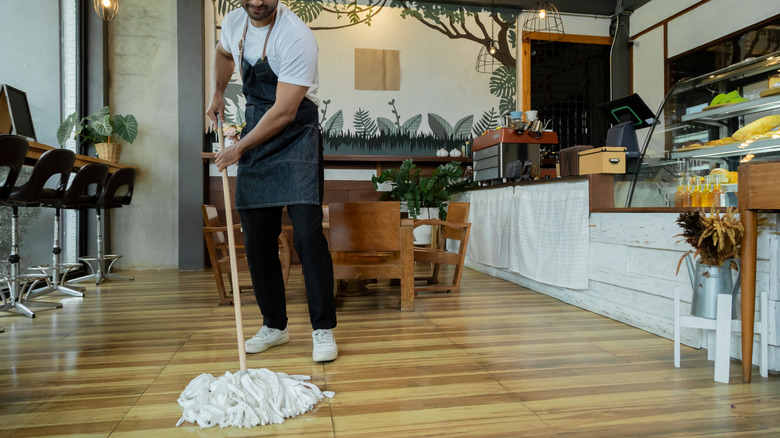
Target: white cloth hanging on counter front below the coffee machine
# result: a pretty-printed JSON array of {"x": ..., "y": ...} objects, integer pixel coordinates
[{"x": 537, "y": 231}]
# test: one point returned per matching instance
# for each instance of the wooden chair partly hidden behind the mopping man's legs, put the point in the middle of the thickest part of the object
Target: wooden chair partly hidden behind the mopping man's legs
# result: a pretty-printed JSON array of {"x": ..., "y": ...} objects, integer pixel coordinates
[{"x": 217, "y": 245}]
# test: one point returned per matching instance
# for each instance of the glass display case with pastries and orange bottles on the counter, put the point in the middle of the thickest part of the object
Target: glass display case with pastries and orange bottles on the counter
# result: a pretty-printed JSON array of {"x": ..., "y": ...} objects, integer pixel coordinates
[{"x": 705, "y": 128}]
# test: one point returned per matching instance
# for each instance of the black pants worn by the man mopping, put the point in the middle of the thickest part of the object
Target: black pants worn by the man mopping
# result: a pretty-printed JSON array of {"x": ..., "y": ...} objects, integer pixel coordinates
[{"x": 261, "y": 228}]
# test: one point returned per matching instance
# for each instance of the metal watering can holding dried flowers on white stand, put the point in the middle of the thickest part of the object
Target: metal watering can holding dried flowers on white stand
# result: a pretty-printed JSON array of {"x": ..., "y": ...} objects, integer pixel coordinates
[{"x": 707, "y": 282}]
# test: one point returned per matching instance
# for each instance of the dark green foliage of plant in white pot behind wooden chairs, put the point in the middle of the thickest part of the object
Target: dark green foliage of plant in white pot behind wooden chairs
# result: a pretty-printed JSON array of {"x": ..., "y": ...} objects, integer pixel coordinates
[{"x": 417, "y": 191}]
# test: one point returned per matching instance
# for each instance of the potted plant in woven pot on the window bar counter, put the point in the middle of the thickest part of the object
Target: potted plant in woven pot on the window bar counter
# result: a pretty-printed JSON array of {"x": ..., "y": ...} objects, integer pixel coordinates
[{"x": 102, "y": 130}]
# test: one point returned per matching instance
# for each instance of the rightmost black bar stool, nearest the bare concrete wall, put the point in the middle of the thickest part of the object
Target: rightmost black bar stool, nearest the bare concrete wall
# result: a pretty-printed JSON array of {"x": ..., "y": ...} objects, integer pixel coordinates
[{"x": 110, "y": 198}]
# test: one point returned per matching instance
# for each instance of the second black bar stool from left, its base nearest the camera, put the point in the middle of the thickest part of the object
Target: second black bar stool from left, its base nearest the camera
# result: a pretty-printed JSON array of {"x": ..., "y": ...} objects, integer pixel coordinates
[{"x": 52, "y": 163}]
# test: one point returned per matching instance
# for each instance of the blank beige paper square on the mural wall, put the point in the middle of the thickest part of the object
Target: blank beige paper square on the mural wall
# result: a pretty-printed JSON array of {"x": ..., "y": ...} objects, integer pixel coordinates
[{"x": 377, "y": 69}]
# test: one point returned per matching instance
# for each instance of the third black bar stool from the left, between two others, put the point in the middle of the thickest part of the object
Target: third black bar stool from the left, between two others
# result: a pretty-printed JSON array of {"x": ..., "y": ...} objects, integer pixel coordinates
[{"x": 84, "y": 190}]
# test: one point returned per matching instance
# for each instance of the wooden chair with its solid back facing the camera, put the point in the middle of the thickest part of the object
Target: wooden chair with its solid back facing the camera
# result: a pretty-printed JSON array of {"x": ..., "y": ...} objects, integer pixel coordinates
[{"x": 369, "y": 240}]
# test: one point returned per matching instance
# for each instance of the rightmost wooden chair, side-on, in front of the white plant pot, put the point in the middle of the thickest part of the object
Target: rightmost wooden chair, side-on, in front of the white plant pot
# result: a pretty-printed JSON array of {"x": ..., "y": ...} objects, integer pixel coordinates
[{"x": 456, "y": 227}]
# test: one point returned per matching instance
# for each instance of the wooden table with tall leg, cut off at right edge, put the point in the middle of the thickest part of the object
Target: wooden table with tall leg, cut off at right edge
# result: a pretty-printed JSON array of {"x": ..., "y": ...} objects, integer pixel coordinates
[{"x": 758, "y": 190}]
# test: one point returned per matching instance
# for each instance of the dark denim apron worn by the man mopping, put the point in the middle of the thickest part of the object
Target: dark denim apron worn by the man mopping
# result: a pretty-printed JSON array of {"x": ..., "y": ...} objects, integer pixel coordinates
[{"x": 287, "y": 169}]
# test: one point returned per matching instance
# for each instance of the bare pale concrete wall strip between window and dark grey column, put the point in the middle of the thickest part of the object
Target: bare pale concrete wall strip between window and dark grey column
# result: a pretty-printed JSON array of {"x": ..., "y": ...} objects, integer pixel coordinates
[{"x": 143, "y": 66}]
